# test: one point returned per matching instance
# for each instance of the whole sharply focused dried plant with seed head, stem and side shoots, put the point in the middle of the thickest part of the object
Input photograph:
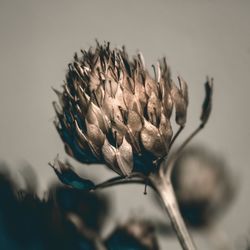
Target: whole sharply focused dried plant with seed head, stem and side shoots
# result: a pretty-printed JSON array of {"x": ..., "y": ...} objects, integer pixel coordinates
[{"x": 113, "y": 112}]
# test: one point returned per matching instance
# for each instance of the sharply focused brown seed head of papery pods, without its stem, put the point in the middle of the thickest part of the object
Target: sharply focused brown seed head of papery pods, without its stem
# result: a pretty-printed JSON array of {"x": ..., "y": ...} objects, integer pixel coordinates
[{"x": 112, "y": 111}]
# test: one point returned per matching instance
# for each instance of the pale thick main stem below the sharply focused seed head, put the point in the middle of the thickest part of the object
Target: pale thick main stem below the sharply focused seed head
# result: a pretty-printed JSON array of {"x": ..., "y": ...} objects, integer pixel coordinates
[{"x": 165, "y": 190}]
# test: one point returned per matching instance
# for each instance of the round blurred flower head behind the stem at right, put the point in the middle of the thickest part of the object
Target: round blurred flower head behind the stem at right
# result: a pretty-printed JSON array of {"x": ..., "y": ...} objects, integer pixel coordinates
[{"x": 204, "y": 185}]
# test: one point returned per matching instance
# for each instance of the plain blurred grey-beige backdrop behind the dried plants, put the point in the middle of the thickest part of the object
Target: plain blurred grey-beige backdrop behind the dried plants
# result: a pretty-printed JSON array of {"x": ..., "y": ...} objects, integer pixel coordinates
[{"x": 198, "y": 38}]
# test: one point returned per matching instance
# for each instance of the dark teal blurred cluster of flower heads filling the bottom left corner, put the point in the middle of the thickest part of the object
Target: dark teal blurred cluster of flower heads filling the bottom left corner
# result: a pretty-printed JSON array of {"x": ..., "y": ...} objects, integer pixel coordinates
[{"x": 64, "y": 218}]
